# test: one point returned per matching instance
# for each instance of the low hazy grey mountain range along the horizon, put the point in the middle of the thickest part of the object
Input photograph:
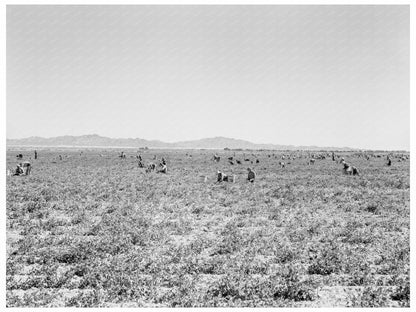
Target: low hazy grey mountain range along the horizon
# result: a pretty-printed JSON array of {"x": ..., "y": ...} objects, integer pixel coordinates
[{"x": 95, "y": 140}]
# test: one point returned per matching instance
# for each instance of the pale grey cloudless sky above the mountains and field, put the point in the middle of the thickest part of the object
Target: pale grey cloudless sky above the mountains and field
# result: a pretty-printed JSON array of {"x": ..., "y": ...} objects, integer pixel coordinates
[{"x": 301, "y": 75}]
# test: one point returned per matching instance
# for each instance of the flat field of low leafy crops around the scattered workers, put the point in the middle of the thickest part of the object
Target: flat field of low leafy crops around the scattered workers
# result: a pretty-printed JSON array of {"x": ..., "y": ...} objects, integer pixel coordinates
[{"x": 94, "y": 230}]
